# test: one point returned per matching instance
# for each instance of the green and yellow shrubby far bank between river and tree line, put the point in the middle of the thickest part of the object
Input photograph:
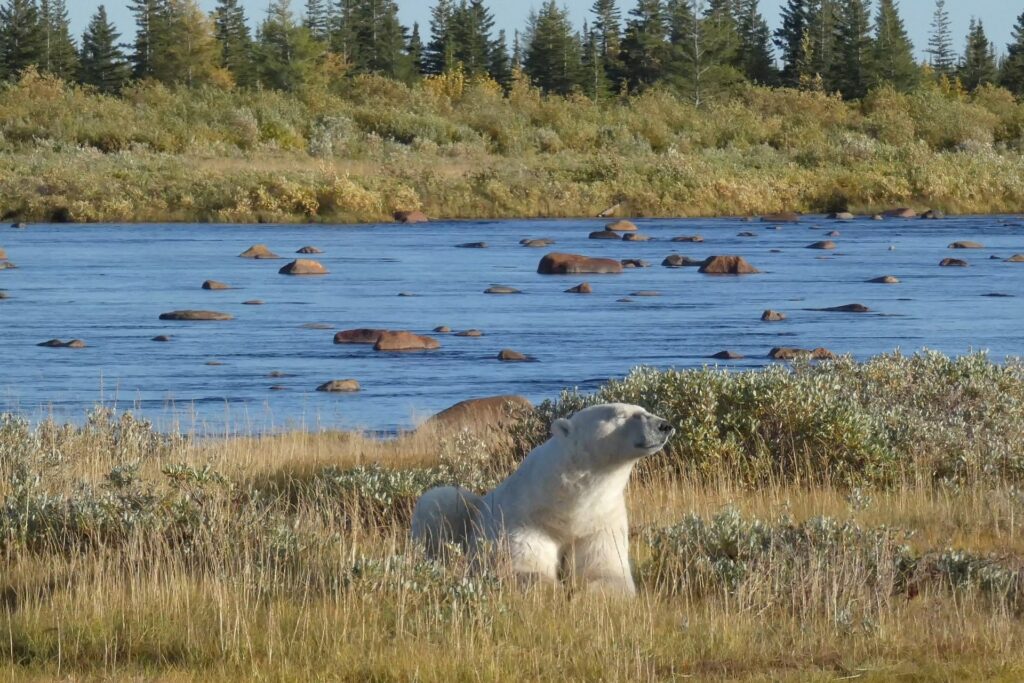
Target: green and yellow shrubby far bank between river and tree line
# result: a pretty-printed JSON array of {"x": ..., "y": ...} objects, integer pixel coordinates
[{"x": 462, "y": 149}]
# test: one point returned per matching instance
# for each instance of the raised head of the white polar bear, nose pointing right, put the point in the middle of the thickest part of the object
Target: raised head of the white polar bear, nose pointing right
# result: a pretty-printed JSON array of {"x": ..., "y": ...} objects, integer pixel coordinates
[{"x": 613, "y": 434}]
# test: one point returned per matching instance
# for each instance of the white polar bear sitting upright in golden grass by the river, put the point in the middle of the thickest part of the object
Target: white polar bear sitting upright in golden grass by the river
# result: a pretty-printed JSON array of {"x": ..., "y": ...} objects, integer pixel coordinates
[{"x": 563, "y": 513}]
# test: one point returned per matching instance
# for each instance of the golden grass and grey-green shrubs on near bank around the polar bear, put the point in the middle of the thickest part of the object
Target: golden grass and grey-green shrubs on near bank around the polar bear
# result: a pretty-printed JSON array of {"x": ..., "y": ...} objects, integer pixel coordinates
[{"x": 845, "y": 522}]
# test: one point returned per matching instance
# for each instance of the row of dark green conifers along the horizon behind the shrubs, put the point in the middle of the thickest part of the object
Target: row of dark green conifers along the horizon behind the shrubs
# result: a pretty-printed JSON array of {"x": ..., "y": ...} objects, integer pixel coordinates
[{"x": 699, "y": 49}]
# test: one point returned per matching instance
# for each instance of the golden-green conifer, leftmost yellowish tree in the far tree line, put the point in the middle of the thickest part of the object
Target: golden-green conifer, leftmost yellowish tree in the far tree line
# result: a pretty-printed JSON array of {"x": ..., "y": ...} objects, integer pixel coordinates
[{"x": 190, "y": 53}]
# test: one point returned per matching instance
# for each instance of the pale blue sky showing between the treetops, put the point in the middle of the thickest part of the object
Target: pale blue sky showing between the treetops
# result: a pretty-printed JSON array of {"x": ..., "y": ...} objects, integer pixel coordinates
[{"x": 999, "y": 16}]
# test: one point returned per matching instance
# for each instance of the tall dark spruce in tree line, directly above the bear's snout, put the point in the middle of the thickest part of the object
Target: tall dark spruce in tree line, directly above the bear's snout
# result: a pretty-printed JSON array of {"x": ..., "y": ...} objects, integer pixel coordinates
[{"x": 646, "y": 51}]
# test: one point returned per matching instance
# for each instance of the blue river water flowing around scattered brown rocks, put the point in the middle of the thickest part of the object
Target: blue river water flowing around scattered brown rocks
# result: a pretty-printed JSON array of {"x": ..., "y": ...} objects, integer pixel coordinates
[{"x": 109, "y": 284}]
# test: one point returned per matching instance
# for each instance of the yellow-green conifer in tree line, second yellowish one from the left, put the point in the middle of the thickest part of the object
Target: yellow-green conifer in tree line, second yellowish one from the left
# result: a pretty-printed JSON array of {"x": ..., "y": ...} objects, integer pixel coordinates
[{"x": 286, "y": 54}]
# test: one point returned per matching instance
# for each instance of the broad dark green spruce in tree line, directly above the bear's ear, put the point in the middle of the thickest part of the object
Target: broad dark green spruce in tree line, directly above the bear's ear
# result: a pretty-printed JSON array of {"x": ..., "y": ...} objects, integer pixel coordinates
[{"x": 552, "y": 60}]
